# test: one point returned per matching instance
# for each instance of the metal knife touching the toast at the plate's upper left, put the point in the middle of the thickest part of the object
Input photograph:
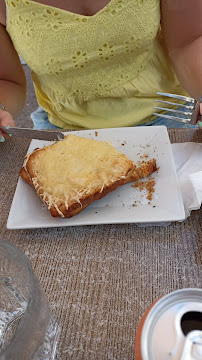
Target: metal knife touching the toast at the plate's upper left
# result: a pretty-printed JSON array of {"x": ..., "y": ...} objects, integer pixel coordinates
[{"x": 33, "y": 134}]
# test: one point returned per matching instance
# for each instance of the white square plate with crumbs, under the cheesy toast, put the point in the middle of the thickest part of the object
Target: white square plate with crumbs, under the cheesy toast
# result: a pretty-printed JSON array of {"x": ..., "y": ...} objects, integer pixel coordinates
[{"x": 27, "y": 210}]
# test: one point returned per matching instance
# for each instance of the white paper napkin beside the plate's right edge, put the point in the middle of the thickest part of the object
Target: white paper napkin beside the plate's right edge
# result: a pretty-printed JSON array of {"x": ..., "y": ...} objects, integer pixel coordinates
[{"x": 188, "y": 163}]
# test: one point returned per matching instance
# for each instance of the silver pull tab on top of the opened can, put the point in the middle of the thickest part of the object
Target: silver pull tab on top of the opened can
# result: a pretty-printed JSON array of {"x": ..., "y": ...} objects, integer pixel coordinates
[{"x": 192, "y": 349}]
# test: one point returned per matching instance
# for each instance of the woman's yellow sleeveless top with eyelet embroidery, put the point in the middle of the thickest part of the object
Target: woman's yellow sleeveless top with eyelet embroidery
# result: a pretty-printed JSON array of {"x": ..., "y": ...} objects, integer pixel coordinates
[{"x": 95, "y": 71}]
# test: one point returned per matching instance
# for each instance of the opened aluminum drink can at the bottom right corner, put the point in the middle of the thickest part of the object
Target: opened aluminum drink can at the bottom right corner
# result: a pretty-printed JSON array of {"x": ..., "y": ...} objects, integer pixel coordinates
[{"x": 171, "y": 329}]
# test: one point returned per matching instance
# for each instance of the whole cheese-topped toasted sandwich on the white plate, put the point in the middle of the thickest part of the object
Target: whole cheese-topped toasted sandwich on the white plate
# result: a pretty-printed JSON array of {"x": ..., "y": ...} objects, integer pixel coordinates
[{"x": 72, "y": 173}]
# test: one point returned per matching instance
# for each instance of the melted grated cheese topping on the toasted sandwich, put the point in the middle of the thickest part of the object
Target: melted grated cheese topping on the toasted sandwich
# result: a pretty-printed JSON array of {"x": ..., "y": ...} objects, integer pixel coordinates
[{"x": 75, "y": 168}]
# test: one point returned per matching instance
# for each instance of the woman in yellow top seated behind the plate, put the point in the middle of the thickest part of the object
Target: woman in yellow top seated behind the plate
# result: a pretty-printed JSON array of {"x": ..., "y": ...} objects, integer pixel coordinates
[{"x": 98, "y": 64}]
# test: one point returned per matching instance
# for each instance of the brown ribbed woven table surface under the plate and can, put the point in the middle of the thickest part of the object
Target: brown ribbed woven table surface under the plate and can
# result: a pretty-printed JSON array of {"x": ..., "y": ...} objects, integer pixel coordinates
[{"x": 99, "y": 280}]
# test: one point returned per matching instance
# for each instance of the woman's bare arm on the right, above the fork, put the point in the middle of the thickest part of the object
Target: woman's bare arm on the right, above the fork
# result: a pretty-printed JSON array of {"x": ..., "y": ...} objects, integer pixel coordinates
[{"x": 182, "y": 30}]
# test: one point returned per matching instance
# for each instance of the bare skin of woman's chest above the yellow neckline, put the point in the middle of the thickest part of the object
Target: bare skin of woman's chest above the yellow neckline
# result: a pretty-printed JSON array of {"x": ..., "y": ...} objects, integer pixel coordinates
[{"x": 81, "y": 7}]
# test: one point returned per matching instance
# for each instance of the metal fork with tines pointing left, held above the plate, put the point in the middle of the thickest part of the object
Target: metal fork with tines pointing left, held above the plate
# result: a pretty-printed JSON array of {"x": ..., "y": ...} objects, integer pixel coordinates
[{"x": 189, "y": 116}]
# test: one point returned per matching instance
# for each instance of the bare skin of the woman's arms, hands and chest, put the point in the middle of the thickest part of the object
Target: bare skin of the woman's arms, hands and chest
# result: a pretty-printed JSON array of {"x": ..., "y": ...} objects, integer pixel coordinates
[{"x": 181, "y": 27}]
